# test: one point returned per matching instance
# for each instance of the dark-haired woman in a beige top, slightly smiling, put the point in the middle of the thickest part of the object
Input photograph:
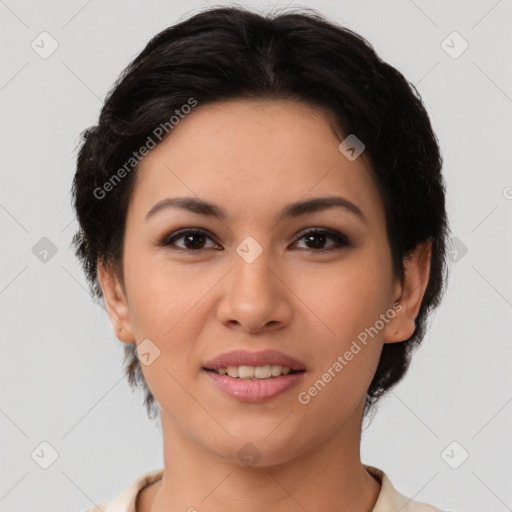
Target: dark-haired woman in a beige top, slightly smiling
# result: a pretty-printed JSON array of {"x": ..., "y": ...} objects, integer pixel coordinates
[{"x": 262, "y": 211}]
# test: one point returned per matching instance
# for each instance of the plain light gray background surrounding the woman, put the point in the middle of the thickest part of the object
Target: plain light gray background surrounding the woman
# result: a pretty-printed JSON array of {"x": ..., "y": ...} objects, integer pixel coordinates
[{"x": 60, "y": 365}]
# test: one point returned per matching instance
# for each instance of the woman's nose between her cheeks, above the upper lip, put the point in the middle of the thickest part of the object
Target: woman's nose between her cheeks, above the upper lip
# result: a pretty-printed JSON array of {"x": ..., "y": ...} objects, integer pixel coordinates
[{"x": 255, "y": 298}]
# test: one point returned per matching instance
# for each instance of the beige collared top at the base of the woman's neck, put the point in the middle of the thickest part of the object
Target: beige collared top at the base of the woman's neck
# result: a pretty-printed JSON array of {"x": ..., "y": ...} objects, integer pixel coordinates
[{"x": 389, "y": 499}]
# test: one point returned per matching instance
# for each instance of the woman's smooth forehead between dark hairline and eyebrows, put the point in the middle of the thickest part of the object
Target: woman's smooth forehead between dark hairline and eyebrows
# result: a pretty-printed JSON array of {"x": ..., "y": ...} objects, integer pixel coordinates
[{"x": 253, "y": 155}]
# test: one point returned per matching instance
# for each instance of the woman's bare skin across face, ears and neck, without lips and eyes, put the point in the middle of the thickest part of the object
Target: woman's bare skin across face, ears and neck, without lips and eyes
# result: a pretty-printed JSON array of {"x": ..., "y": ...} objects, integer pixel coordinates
[{"x": 252, "y": 158}]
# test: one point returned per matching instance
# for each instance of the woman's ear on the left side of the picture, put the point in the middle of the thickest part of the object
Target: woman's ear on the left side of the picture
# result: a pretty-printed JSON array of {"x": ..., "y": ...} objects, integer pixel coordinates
[{"x": 115, "y": 303}]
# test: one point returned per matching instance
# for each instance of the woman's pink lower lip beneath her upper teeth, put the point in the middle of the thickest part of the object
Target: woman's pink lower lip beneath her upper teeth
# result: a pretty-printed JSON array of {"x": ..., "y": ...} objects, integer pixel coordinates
[{"x": 255, "y": 390}]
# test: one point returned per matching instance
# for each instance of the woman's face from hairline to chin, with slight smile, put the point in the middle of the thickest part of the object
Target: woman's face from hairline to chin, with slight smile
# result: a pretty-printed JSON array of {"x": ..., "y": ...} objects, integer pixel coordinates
[{"x": 256, "y": 278}]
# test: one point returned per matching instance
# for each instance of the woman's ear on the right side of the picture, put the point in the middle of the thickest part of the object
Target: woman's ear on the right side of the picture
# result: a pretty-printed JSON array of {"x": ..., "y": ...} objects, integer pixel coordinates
[{"x": 409, "y": 294}]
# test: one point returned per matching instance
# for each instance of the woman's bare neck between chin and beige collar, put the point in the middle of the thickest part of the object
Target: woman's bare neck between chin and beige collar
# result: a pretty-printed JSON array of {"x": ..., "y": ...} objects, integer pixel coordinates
[{"x": 329, "y": 477}]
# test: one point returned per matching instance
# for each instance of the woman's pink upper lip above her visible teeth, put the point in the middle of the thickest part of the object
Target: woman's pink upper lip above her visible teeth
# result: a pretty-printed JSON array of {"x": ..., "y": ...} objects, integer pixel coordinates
[{"x": 246, "y": 358}]
